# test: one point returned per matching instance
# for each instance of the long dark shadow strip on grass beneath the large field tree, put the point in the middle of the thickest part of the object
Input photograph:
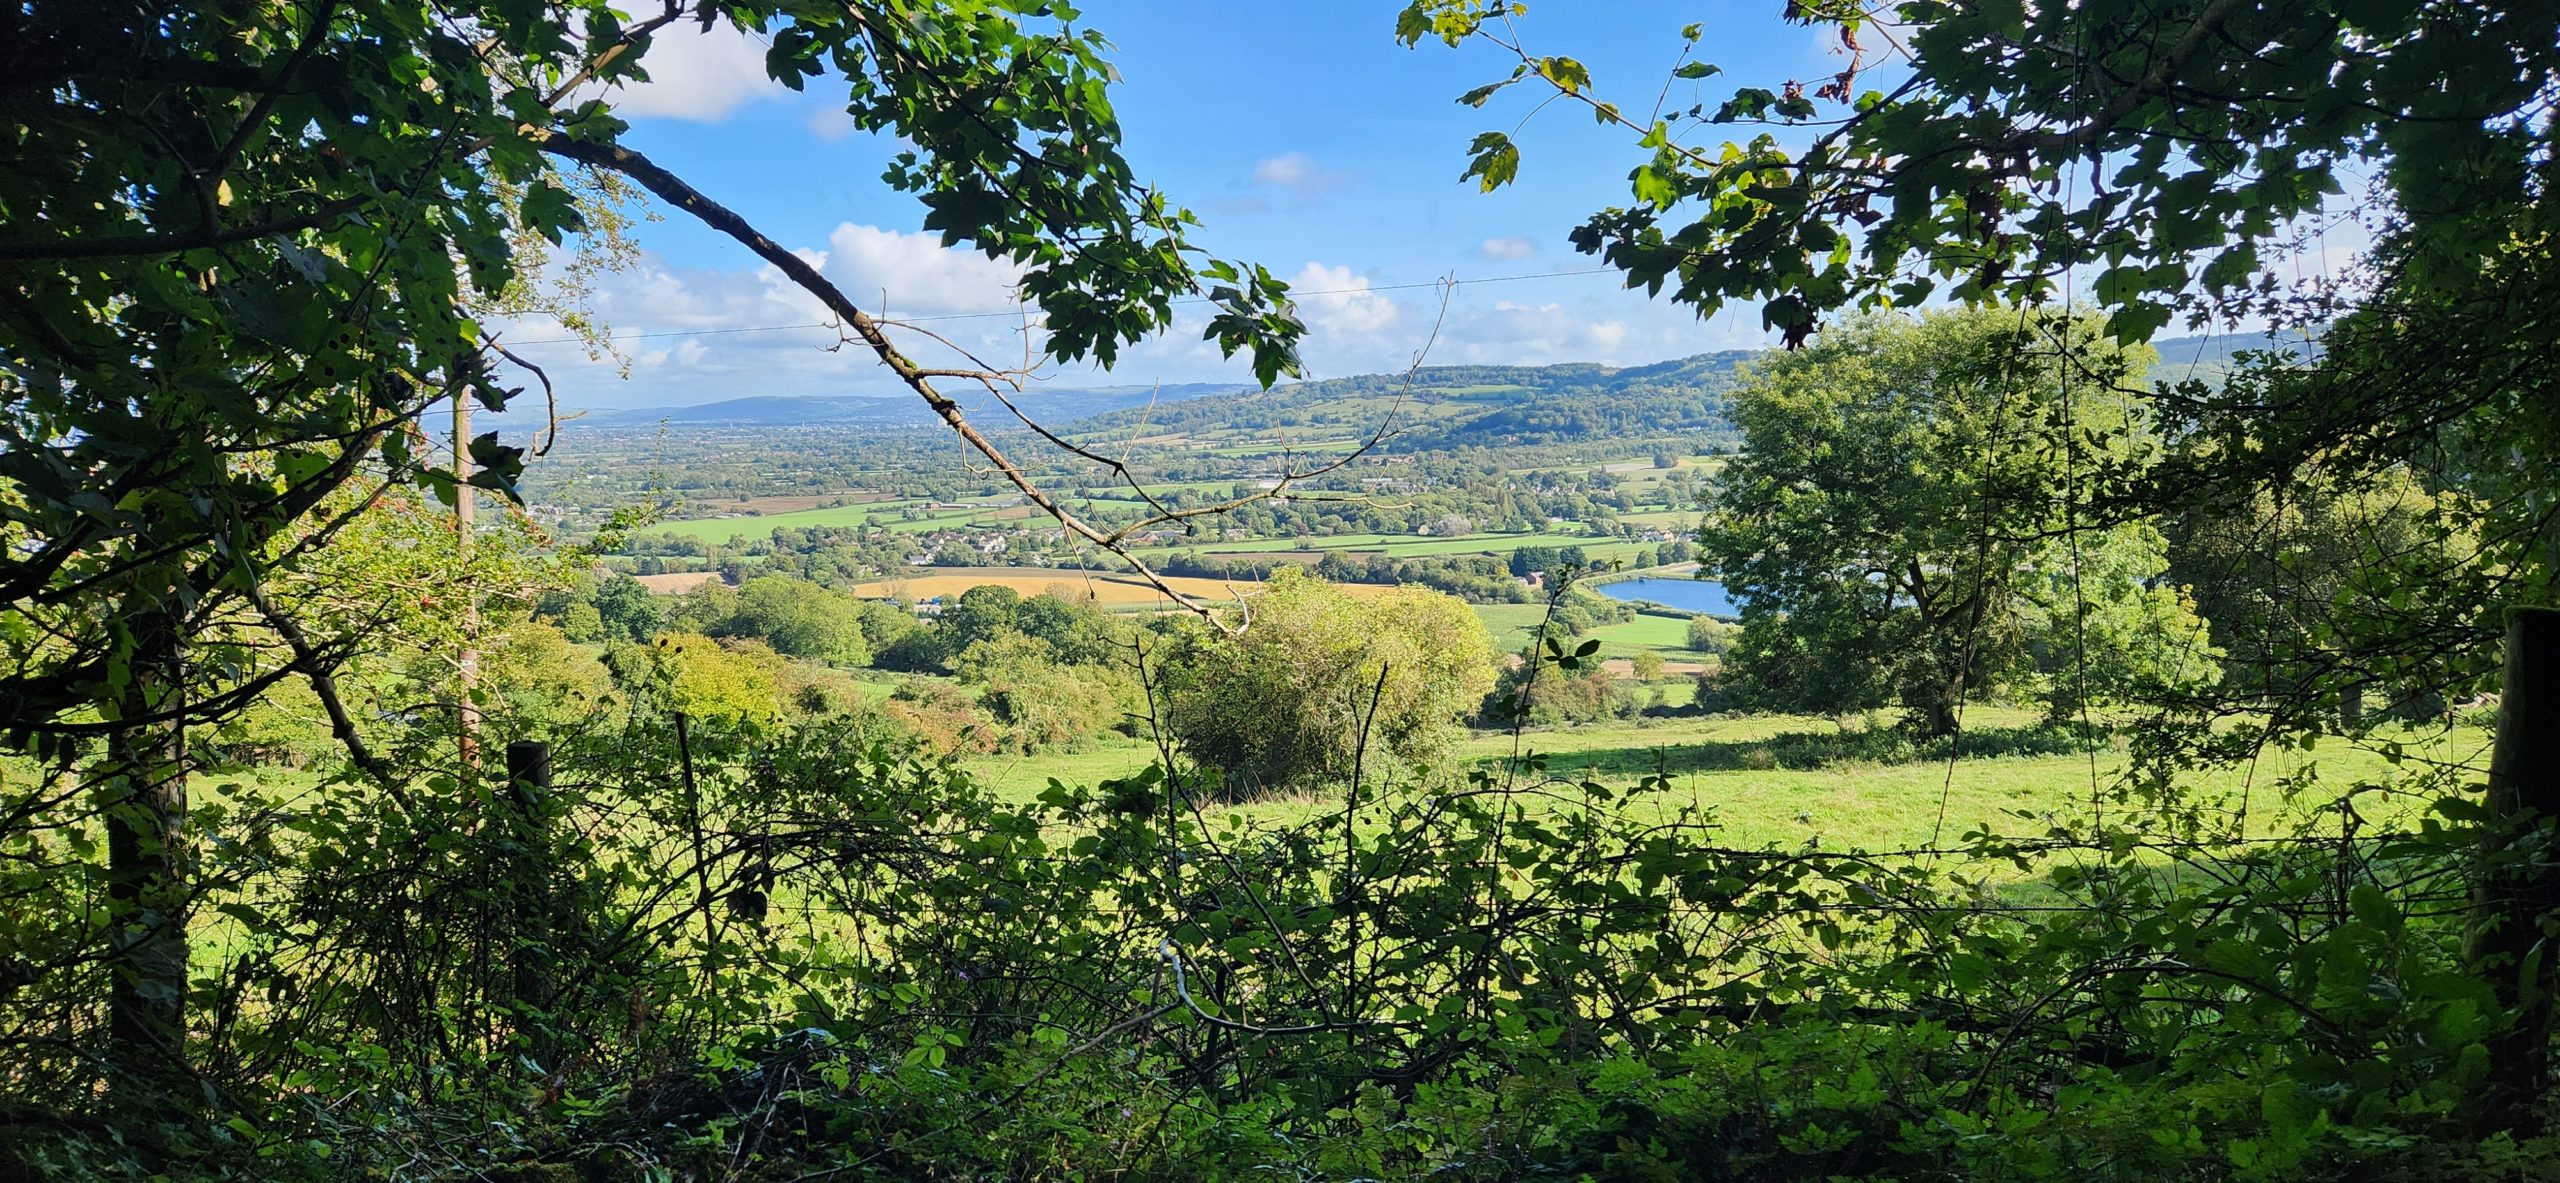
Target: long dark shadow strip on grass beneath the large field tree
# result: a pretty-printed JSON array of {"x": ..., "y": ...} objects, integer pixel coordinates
[{"x": 1811, "y": 752}]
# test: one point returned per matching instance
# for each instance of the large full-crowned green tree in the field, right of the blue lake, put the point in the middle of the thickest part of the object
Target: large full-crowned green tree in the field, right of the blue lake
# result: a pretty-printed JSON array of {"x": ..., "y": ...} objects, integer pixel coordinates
[{"x": 1901, "y": 526}]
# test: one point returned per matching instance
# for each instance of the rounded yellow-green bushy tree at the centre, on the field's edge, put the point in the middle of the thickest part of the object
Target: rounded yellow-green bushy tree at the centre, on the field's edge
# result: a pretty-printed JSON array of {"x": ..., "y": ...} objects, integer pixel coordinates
[{"x": 1289, "y": 700}]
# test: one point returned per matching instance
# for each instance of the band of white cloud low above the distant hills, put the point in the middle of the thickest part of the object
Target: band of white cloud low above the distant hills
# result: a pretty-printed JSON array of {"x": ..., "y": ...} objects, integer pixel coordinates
[{"x": 1353, "y": 326}]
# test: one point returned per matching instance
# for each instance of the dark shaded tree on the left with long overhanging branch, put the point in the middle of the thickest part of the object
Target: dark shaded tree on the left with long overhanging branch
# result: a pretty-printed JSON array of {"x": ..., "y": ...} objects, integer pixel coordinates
[{"x": 247, "y": 245}]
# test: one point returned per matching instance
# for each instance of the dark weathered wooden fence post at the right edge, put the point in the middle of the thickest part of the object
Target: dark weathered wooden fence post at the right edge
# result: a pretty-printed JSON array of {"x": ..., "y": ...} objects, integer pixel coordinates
[{"x": 2518, "y": 887}]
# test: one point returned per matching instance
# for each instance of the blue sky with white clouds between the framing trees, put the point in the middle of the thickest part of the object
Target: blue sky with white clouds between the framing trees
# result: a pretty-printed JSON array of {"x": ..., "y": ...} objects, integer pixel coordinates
[{"x": 1302, "y": 134}]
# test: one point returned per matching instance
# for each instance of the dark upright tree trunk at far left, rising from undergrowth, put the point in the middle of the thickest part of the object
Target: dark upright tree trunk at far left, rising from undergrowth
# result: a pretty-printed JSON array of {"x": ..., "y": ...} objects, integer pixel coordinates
[{"x": 147, "y": 877}]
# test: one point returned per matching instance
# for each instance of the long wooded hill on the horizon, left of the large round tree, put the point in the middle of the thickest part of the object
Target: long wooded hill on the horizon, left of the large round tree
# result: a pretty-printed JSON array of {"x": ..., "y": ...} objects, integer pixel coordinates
[{"x": 1460, "y": 406}]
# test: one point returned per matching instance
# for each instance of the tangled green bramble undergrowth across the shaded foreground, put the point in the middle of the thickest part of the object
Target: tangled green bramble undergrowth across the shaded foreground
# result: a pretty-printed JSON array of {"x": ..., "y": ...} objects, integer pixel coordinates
[{"x": 1635, "y": 997}]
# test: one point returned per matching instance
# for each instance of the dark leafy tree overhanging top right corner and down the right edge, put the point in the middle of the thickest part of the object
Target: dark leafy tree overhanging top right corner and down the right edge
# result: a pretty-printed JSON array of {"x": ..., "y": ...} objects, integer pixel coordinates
[{"x": 2157, "y": 160}]
